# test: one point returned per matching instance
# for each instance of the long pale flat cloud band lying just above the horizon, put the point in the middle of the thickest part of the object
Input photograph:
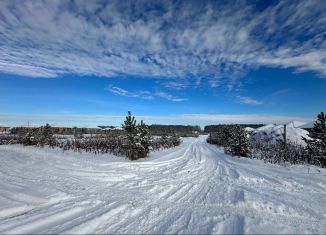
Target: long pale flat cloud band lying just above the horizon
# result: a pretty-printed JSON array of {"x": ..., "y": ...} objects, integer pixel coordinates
[{"x": 185, "y": 119}]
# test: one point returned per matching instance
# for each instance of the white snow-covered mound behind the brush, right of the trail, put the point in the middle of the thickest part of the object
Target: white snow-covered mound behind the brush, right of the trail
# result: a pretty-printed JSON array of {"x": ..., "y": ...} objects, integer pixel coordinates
[{"x": 274, "y": 132}]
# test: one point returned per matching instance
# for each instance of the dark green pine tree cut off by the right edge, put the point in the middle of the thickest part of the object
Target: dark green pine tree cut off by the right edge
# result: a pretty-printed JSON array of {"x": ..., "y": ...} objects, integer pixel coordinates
[{"x": 316, "y": 146}]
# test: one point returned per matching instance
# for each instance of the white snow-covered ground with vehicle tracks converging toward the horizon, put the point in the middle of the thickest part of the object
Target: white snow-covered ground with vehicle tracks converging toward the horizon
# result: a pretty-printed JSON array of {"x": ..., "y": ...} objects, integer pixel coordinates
[{"x": 193, "y": 188}]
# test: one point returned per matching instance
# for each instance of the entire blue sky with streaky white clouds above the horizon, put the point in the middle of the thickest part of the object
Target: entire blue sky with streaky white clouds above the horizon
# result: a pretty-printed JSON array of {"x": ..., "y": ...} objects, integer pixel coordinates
[{"x": 182, "y": 62}]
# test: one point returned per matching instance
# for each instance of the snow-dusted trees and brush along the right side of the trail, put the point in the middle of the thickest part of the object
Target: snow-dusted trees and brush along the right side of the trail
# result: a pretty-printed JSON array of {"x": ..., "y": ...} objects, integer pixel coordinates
[{"x": 237, "y": 142}]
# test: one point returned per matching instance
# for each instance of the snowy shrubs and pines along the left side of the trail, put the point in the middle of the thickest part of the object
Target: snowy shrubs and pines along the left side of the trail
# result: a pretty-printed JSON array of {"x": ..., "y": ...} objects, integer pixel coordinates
[{"x": 134, "y": 142}]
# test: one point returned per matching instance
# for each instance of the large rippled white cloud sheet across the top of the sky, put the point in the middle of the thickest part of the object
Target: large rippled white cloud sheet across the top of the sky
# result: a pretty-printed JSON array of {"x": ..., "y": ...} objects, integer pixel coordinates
[{"x": 161, "y": 39}]
